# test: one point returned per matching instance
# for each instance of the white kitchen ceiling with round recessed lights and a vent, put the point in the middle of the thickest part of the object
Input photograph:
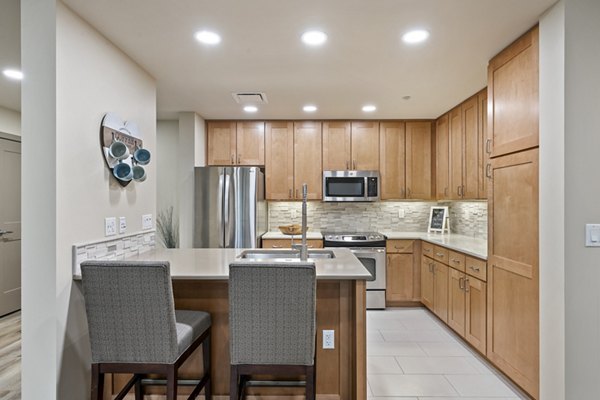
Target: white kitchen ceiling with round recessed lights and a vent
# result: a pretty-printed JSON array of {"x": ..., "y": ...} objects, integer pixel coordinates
[{"x": 363, "y": 60}]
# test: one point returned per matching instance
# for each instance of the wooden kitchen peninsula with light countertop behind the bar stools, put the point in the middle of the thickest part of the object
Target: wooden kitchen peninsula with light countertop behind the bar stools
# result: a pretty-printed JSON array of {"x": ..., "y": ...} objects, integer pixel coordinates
[{"x": 200, "y": 282}]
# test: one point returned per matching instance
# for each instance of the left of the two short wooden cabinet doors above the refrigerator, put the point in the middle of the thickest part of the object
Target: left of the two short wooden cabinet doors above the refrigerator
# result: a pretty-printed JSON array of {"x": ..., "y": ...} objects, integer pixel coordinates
[{"x": 221, "y": 143}]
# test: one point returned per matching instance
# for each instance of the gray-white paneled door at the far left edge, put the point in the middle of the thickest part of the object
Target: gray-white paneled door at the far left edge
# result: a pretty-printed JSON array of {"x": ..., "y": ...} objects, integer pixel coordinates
[{"x": 10, "y": 226}]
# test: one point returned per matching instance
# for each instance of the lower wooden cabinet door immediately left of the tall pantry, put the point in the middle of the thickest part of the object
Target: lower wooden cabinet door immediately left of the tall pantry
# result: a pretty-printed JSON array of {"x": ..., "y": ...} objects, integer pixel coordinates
[{"x": 475, "y": 313}]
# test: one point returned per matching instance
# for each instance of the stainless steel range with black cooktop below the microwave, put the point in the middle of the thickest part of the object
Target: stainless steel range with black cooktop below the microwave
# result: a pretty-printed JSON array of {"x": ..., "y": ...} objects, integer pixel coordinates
[{"x": 369, "y": 248}]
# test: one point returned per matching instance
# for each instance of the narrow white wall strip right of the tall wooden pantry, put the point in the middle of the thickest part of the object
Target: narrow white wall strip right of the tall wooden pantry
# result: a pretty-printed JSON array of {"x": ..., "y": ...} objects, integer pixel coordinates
[{"x": 552, "y": 204}]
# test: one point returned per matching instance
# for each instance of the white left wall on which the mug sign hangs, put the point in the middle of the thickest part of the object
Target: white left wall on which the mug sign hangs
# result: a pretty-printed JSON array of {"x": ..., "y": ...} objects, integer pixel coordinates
[{"x": 81, "y": 190}]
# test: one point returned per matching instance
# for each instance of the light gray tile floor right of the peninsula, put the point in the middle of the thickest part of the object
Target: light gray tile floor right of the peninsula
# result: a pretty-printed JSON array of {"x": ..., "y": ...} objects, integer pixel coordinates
[{"x": 411, "y": 355}]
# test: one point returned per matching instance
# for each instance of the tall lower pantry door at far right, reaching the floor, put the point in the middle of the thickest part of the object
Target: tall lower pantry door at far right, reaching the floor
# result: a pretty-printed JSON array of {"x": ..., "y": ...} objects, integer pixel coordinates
[{"x": 513, "y": 268}]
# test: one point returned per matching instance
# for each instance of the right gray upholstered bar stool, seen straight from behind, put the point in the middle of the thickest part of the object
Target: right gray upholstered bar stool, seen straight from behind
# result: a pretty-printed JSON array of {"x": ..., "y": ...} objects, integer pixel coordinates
[{"x": 272, "y": 312}]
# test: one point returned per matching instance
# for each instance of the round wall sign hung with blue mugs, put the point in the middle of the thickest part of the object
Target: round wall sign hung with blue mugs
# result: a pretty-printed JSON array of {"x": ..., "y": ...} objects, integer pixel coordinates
[{"x": 123, "y": 149}]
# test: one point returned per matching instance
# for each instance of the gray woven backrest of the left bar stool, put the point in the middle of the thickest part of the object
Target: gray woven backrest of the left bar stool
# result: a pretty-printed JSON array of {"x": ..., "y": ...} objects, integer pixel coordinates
[{"x": 130, "y": 311}]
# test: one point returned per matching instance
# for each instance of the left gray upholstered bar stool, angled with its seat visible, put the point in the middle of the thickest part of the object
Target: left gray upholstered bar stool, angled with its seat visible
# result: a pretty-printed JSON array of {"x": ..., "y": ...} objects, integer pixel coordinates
[{"x": 134, "y": 327}]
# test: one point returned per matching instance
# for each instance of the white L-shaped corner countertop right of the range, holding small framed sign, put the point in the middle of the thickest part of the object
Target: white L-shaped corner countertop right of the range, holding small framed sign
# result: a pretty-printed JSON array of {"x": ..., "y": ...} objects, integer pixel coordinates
[{"x": 466, "y": 244}]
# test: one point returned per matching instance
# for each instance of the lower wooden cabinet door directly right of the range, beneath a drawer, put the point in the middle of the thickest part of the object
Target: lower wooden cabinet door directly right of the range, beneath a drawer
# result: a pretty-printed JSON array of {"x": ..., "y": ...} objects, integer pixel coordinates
[{"x": 399, "y": 278}]
